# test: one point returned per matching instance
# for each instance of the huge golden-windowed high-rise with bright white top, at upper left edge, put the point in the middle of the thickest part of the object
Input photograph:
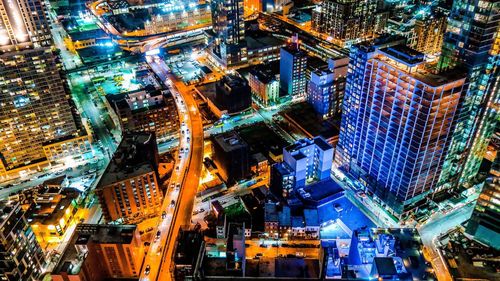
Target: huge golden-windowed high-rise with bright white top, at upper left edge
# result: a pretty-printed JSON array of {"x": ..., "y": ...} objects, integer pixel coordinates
[{"x": 33, "y": 104}]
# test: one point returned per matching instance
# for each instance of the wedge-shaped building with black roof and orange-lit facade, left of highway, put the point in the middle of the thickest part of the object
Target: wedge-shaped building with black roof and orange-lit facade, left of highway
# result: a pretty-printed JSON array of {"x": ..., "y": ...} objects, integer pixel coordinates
[{"x": 129, "y": 189}]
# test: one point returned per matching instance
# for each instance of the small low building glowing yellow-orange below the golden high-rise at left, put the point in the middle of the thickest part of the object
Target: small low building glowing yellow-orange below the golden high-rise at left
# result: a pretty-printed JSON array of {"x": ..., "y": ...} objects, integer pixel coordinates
[{"x": 51, "y": 214}]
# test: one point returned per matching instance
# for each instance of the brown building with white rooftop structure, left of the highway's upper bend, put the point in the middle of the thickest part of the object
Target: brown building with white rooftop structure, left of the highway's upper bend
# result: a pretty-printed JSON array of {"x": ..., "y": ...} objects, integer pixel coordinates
[{"x": 147, "y": 110}]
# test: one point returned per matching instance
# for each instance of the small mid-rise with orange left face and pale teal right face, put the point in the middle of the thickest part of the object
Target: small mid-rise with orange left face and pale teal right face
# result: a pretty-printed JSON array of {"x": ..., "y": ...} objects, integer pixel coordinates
[{"x": 265, "y": 86}]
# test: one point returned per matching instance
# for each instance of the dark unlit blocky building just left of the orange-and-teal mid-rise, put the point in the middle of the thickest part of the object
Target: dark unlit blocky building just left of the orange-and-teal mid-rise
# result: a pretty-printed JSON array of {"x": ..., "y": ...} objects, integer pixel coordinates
[{"x": 233, "y": 94}]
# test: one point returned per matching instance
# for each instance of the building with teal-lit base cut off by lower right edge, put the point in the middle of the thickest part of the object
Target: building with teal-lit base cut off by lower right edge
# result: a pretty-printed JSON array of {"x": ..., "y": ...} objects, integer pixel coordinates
[{"x": 484, "y": 223}]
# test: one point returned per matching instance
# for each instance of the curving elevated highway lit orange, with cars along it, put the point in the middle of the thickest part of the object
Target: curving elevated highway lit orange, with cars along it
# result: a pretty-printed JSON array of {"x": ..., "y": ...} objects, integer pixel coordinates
[{"x": 158, "y": 260}]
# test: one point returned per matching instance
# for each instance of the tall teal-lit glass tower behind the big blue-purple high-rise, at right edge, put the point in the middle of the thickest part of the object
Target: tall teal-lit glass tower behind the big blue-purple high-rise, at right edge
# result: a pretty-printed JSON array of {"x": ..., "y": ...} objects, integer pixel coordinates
[{"x": 472, "y": 41}]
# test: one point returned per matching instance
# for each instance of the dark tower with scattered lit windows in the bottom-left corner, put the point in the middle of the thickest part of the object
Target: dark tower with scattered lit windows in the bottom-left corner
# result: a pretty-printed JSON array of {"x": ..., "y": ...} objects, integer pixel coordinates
[{"x": 20, "y": 255}]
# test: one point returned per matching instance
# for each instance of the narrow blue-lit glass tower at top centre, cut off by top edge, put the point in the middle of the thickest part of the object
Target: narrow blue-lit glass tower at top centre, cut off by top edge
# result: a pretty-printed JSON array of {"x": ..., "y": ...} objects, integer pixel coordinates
[{"x": 228, "y": 23}]
